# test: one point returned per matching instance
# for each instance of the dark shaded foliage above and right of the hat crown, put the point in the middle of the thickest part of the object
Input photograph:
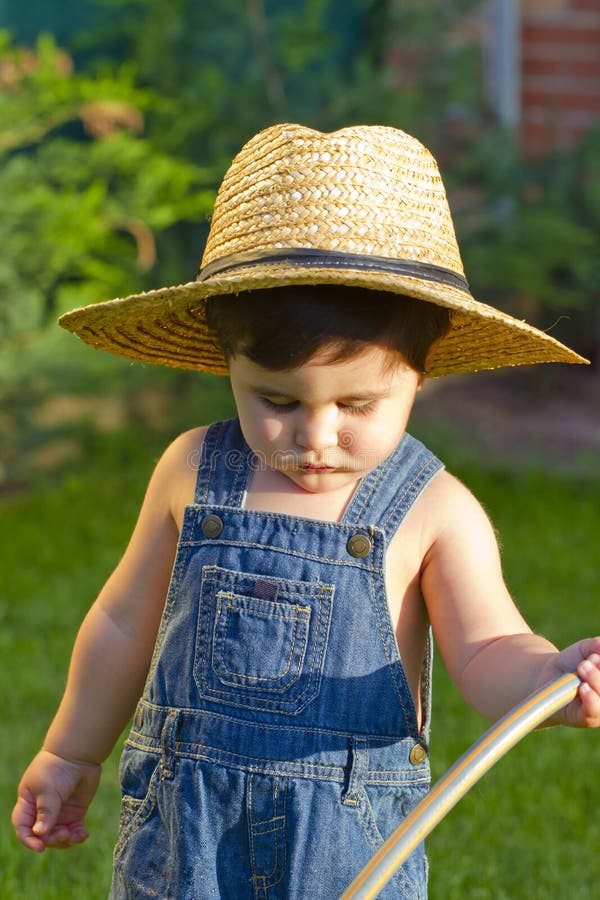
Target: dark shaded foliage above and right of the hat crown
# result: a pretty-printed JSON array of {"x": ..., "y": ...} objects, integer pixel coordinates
[{"x": 530, "y": 235}]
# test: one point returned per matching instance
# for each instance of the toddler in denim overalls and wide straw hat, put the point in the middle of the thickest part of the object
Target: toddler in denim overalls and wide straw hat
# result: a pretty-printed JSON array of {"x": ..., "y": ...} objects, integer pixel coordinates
[{"x": 269, "y": 623}]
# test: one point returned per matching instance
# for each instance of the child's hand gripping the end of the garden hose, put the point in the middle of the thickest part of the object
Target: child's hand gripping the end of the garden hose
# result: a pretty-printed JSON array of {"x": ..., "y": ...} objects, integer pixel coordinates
[{"x": 584, "y": 659}]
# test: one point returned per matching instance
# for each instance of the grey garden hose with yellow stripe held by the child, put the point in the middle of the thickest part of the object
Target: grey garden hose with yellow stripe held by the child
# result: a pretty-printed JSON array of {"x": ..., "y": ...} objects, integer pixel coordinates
[{"x": 497, "y": 741}]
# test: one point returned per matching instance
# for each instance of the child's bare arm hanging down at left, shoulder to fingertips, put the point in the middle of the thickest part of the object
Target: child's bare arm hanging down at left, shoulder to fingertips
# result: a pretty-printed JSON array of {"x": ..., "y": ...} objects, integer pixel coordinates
[{"x": 108, "y": 668}]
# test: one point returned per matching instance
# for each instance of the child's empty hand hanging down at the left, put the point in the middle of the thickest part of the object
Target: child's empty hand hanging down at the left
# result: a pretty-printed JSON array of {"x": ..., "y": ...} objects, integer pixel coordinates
[{"x": 54, "y": 795}]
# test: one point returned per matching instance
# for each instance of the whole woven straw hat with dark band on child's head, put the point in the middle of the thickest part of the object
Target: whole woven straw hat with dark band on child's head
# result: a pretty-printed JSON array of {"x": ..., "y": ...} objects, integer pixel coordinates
[{"x": 364, "y": 206}]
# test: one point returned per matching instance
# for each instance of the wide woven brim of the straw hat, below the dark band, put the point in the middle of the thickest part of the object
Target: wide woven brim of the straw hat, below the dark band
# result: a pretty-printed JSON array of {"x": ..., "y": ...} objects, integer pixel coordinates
[{"x": 168, "y": 326}]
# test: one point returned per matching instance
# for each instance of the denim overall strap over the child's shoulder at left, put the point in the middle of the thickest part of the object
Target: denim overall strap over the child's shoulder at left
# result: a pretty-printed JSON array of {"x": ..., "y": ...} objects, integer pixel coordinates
[{"x": 224, "y": 466}]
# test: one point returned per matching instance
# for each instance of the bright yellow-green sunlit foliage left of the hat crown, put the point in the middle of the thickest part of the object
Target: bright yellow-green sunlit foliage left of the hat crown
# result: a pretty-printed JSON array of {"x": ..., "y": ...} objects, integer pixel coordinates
[{"x": 86, "y": 193}]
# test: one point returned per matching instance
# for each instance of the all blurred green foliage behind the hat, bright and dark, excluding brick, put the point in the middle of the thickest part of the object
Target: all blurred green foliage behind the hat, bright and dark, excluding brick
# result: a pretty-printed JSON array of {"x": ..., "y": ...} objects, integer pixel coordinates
[{"x": 108, "y": 169}]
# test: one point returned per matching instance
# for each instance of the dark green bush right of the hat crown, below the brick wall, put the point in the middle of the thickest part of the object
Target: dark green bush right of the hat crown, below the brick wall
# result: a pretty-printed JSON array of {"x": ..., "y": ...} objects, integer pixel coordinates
[{"x": 534, "y": 246}]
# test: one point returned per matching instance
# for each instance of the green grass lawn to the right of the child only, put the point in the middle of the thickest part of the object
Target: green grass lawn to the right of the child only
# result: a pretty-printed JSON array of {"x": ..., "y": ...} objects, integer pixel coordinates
[{"x": 531, "y": 828}]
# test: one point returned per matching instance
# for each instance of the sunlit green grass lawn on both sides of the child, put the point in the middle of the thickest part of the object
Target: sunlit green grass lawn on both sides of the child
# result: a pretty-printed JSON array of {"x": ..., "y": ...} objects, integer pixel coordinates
[{"x": 530, "y": 829}]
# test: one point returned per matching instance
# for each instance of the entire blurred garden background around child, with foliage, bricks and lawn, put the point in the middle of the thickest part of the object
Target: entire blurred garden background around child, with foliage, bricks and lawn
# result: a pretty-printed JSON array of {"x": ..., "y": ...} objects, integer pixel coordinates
[{"x": 118, "y": 119}]
